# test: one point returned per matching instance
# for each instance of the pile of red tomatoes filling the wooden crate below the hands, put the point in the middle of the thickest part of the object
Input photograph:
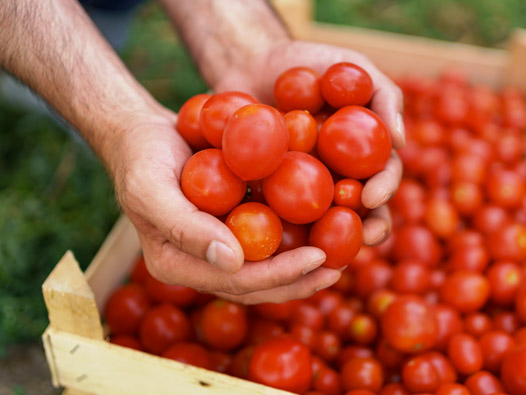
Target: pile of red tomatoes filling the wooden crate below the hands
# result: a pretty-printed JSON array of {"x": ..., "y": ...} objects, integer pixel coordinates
[{"x": 438, "y": 308}]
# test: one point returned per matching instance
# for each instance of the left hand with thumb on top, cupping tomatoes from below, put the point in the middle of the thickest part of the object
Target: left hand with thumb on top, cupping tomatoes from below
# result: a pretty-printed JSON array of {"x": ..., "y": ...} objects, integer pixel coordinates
[{"x": 183, "y": 245}]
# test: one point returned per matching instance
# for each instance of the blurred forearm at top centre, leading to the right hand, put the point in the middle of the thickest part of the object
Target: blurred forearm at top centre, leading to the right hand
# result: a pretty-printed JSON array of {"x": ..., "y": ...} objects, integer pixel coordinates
[{"x": 225, "y": 34}]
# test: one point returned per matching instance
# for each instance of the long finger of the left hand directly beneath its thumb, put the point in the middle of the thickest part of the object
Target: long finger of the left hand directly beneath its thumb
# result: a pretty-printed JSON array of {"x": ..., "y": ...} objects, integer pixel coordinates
[{"x": 171, "y": 265}]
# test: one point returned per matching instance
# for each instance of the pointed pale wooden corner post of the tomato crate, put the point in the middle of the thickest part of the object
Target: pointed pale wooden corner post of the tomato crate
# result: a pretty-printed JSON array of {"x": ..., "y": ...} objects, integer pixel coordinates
[{"x": 69, "y": 300}]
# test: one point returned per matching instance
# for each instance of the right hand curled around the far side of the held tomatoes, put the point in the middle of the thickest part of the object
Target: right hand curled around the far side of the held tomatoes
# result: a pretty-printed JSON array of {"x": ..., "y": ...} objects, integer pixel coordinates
[{"x": 258, "y": 76}]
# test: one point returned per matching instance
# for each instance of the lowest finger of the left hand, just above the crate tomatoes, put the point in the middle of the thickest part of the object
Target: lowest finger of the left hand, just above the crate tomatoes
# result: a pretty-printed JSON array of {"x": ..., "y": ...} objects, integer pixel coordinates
[{"x": 305, "y": 287}]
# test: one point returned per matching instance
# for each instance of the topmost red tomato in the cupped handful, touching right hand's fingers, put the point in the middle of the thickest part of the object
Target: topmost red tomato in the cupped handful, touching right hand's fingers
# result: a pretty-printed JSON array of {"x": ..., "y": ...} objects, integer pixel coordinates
[{"x": 344, "y": 84}]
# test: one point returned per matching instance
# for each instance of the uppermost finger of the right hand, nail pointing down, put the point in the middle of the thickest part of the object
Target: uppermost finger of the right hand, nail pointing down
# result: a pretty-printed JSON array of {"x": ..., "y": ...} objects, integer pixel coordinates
[{"x": 387, "y": 102}]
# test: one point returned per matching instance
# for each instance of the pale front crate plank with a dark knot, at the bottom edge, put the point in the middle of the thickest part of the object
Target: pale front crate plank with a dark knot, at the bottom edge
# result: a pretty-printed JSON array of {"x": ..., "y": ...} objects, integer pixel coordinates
[{"x": 99, "y": 367}]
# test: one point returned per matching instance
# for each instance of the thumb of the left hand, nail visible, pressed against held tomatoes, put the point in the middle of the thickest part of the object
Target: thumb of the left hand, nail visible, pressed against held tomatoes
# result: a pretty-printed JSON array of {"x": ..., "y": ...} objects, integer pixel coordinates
[{"x": 195, "y": 232}]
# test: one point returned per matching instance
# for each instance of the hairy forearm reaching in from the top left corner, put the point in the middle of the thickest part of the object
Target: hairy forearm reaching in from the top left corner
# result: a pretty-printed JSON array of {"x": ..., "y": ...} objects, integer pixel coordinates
[{"x": 52, "y": 46}]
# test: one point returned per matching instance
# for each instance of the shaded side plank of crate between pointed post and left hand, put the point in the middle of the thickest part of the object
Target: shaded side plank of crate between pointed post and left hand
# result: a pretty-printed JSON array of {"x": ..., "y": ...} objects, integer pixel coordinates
[{"x": 113, "y": 261}]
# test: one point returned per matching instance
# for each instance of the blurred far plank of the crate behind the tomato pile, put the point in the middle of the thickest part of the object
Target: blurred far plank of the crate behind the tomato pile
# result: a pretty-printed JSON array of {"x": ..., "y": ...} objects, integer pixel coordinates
[{"x": 398, "y": 54}]
